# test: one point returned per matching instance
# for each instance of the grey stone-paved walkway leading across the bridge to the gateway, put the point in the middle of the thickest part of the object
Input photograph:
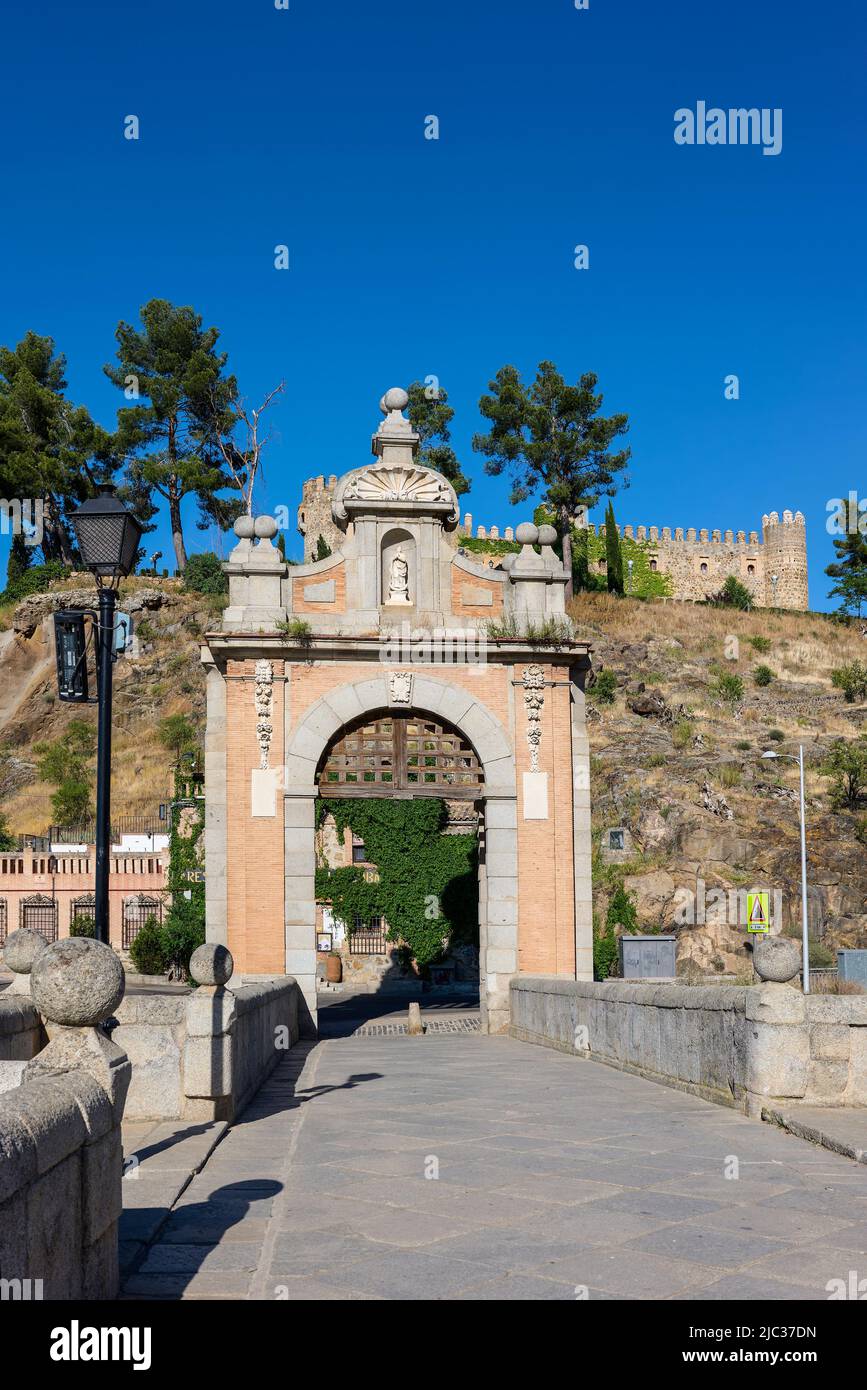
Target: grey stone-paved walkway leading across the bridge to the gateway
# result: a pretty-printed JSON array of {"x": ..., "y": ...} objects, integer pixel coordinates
[{"x": 459, "y": 1167}]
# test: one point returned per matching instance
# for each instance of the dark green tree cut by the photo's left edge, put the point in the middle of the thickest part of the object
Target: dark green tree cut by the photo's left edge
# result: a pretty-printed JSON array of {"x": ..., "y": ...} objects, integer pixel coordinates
[{"x": 51, "y": 450}]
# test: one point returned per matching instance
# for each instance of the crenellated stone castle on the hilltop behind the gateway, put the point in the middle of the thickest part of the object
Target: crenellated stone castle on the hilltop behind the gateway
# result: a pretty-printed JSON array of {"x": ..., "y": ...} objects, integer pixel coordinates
[{"x": 695, "y": 562}]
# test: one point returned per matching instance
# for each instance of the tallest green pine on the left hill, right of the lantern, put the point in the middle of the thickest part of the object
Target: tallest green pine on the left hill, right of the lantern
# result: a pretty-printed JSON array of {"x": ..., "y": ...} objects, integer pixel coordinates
[{"x": 172, "y": 366}]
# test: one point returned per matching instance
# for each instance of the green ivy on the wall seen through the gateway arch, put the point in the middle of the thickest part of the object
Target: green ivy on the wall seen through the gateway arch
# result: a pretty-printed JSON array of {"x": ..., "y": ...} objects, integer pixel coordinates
[{"x": 427, "y": 889}]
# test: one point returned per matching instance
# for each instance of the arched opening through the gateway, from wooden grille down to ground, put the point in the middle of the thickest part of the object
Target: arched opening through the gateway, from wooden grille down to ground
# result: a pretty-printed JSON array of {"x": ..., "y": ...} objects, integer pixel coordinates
[{"x": 398, "y": 856}]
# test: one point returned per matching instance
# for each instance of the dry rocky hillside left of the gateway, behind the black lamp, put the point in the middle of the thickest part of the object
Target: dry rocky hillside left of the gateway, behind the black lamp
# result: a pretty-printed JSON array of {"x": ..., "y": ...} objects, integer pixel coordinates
[{"x": 162, "y": 676}]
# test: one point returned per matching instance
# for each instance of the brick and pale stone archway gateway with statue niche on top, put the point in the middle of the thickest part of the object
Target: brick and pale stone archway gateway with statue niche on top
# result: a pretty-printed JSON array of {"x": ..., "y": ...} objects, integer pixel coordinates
[{"x": 484, "y": 661}]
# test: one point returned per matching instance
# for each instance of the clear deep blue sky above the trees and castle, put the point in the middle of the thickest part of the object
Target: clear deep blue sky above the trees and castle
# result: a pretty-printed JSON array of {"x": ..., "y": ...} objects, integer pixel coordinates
[{"x": 451, "y": 258}]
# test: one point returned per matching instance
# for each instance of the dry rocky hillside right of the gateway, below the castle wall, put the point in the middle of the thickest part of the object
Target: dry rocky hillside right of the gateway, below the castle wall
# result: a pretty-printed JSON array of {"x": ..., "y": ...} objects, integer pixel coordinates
[{"x": 679, "y": 765}]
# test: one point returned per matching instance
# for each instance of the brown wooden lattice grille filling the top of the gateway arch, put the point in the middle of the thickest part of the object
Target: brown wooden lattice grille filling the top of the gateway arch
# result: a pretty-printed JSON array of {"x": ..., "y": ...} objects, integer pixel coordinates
[{"x": 399, "y": 754}]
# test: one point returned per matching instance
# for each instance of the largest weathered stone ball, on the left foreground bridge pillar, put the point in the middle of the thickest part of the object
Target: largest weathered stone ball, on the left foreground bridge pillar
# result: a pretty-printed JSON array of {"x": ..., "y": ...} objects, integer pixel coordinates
[{"x": 77, "y": 982}]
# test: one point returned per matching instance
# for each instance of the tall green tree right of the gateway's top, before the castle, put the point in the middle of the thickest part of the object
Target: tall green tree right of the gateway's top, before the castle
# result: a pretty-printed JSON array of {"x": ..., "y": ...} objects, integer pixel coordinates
[{"x": 552, "y": 440}]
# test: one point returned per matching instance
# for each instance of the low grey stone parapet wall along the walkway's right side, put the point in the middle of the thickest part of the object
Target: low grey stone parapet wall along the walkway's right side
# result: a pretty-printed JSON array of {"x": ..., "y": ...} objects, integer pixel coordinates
[{"x": 741, "y": 1047}]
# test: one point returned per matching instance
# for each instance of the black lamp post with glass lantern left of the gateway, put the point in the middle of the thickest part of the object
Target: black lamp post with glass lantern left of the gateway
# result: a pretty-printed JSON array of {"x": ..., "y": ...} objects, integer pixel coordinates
[{"x": 109, "y": 540}]
